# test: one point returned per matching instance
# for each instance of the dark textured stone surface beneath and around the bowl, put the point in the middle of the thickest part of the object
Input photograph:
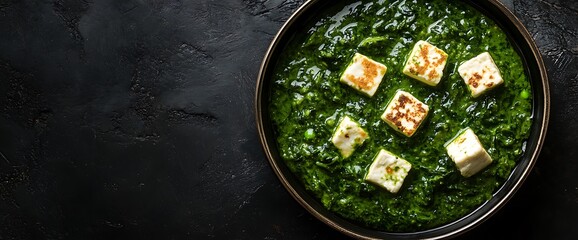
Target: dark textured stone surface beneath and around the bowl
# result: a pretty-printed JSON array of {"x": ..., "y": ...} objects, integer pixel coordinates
[{"x": 134, "y": 120}]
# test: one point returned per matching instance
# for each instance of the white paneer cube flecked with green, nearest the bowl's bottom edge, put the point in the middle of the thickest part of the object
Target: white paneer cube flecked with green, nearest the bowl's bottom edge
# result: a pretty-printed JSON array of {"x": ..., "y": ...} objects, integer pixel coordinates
[{"x": 388, "y": 171}]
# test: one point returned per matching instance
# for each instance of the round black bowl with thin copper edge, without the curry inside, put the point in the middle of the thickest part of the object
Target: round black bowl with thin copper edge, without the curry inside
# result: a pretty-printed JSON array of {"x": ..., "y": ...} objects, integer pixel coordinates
[{"x": 534, "y": 67}]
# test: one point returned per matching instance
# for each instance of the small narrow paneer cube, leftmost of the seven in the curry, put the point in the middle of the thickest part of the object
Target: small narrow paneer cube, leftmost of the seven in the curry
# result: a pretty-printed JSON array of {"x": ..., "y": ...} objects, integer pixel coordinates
[{"x": 348, "y": 136}]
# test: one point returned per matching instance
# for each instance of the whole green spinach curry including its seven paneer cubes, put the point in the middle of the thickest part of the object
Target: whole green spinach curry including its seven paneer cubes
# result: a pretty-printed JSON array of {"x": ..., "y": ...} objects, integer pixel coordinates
[{"x": 401, "y": 116}]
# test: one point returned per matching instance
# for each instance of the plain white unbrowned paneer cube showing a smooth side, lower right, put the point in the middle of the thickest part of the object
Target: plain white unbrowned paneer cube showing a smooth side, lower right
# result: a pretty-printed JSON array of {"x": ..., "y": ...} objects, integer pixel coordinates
[{"x": 467, "y": 152}]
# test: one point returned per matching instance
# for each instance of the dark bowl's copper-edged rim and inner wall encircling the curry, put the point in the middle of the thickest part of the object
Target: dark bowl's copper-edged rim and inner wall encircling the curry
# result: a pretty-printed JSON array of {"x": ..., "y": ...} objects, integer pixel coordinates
[{"x": 541, "y": 112}]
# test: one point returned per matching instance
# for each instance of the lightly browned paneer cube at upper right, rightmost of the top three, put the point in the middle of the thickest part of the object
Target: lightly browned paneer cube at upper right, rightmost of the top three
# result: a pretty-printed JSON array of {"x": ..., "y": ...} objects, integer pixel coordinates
[{"x": 480, "y": 74}]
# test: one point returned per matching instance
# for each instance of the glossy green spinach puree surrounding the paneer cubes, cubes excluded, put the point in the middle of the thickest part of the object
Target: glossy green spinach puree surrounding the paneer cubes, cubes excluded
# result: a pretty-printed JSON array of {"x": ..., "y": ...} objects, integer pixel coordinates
[{"x": 307, "y": 102}]
